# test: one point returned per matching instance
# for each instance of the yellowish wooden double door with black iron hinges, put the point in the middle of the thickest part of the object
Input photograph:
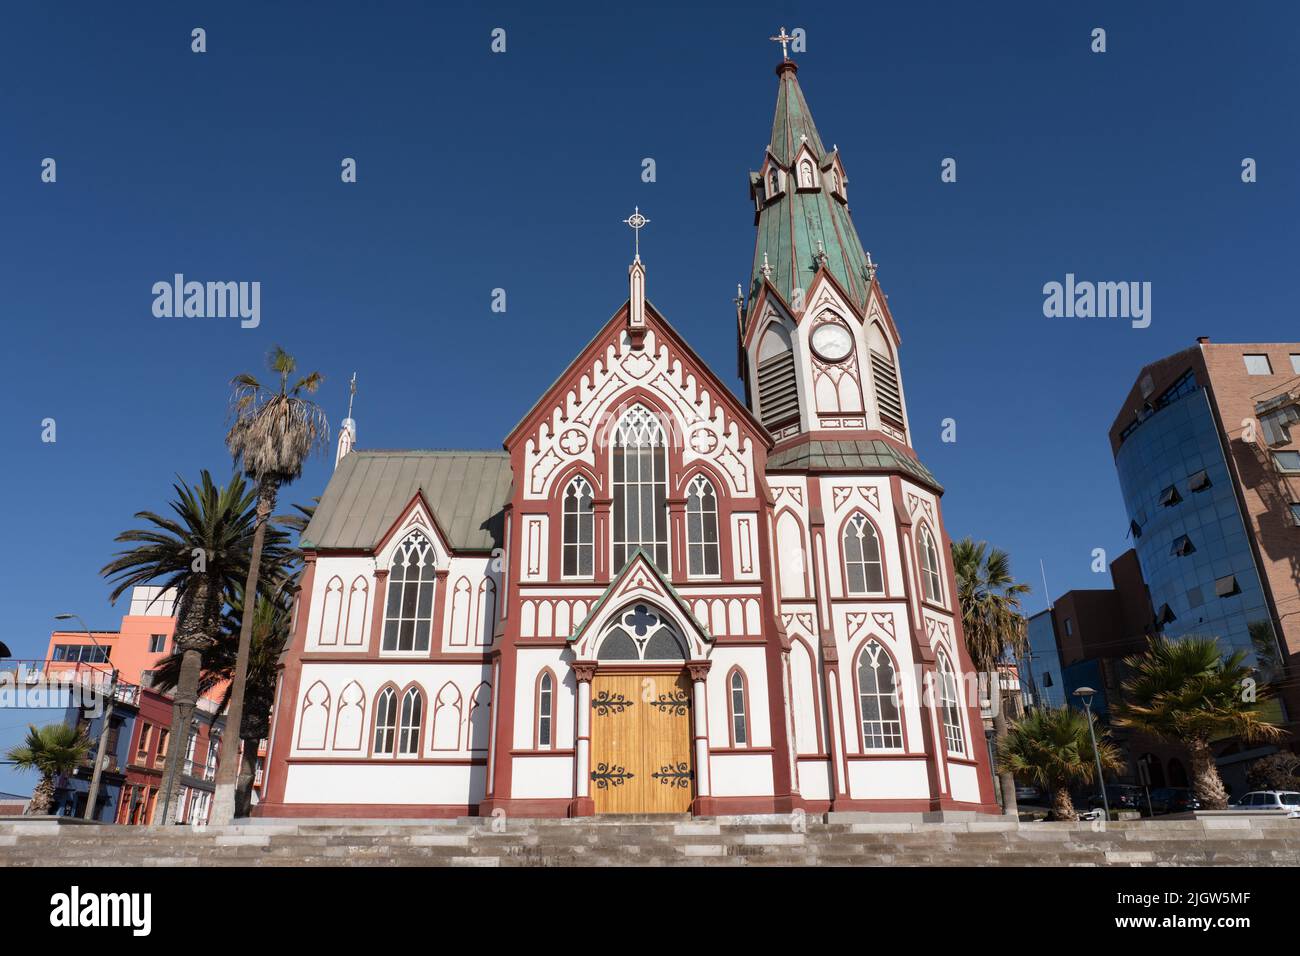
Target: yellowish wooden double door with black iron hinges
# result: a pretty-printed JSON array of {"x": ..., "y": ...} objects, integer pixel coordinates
[{"x": 642, "y": 755}]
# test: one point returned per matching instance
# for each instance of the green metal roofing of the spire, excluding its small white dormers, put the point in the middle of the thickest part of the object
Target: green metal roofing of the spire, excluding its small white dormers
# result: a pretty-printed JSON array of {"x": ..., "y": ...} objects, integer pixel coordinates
[{"x": 791, "y": 228}]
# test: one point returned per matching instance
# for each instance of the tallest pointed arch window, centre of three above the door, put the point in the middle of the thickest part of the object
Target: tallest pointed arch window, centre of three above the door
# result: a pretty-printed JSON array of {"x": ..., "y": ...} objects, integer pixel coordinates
[{"x": 640, "y": 488}]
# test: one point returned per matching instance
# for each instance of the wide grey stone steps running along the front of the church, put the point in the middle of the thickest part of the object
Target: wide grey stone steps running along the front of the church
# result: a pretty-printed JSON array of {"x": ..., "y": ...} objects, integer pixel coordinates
[{"x": 660, "y": 842}]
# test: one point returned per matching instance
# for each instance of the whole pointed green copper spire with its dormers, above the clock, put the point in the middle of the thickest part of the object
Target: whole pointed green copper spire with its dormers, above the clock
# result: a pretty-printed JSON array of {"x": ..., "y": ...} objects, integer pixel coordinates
[{"x": 805, "y": 223}]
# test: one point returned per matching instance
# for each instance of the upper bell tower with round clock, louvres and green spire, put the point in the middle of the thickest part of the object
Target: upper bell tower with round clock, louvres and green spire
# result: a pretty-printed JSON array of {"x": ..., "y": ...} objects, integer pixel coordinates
[{"x": 820, "y": 351}]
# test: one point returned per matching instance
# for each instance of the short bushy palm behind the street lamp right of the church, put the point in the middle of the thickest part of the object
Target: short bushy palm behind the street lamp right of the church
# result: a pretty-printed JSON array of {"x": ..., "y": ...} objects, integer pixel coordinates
[{"x": 1054, "y": 749}]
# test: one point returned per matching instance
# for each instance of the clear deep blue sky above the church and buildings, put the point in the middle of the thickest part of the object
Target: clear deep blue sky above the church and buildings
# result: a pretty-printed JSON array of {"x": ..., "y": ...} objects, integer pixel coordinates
[{"x": 482, "y": 171}]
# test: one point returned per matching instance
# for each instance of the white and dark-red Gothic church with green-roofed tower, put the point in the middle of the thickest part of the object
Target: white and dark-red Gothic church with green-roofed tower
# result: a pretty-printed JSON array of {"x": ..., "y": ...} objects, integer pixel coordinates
[{"x": 656, "y": 598}]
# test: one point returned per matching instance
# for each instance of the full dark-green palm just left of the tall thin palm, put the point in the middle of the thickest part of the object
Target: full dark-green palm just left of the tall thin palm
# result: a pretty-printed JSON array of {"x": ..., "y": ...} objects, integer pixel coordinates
[{"x": 202, "y": 553}]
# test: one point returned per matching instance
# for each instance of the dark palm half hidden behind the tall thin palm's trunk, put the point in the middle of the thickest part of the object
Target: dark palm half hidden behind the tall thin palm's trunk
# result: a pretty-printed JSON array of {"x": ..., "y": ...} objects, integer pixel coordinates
[{"x": 271, "y": 630}]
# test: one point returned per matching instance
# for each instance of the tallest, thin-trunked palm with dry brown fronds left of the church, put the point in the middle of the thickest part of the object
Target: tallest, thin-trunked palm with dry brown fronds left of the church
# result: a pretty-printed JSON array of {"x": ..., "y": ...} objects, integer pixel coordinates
[{"x": 272, "y": 435}]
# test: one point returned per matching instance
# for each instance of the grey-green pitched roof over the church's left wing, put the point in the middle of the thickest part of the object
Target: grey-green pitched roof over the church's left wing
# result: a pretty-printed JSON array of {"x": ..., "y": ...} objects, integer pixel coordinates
[{"x": 466, "y": 491}]
